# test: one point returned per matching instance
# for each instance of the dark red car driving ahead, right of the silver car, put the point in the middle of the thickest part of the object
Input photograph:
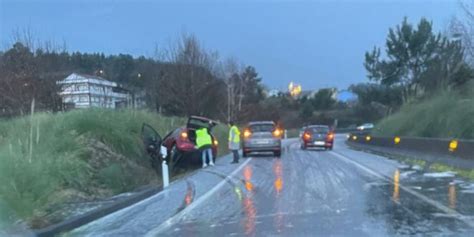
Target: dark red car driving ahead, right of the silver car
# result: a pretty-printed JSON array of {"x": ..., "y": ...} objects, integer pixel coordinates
[{"x": 317, "y": 136}]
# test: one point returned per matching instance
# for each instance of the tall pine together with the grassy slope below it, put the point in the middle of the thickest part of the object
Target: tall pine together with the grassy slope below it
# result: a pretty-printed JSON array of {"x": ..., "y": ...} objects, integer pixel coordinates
[{"x": 424, "y": 84}]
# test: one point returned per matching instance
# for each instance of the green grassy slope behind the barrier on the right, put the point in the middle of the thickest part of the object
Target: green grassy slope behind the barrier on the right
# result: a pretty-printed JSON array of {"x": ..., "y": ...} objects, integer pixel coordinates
[{"x": 446, "y": 115}]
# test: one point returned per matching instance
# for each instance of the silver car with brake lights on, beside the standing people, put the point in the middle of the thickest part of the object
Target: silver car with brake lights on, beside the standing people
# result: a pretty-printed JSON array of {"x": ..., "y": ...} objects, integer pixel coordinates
[{"x": 263, "y": 136}]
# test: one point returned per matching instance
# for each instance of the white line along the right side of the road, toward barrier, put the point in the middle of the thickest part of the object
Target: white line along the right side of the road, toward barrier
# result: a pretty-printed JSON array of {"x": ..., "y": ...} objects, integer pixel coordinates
[{"x": 421, "y": 196}]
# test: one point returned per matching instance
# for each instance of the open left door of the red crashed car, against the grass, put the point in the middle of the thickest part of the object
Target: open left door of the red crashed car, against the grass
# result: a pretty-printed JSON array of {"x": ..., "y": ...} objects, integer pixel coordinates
[{"x": 152, "y": 143}]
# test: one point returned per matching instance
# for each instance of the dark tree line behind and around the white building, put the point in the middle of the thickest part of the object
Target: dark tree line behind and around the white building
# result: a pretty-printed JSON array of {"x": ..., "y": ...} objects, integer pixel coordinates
[{"x": 184, "y": 79}]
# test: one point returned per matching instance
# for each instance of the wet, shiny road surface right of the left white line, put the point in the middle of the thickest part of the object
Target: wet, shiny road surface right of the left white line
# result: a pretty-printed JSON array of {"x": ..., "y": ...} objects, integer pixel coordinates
[{"x": 313, "y": 193}]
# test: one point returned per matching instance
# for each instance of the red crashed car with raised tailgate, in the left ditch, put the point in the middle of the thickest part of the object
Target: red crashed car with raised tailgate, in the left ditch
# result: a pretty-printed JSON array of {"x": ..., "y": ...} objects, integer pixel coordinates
[{"x": 181, "y": 143}]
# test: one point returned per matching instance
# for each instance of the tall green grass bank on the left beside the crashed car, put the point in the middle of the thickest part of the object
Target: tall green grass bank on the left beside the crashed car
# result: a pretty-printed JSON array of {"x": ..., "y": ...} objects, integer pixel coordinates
[{"x": 49, "y": 159}]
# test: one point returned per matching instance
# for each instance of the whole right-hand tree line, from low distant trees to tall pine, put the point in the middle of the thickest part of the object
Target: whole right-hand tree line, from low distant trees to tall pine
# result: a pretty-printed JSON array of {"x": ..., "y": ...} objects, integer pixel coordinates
[{"x": 415, "y": 63}]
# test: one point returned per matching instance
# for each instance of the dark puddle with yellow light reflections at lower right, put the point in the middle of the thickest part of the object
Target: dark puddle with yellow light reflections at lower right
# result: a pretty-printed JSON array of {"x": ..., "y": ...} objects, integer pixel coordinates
[{"x": 406, "y": 214}]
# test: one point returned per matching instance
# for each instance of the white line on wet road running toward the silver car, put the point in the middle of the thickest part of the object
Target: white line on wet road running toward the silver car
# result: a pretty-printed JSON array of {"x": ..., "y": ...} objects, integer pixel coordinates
[{"x": 172, "y": 220}]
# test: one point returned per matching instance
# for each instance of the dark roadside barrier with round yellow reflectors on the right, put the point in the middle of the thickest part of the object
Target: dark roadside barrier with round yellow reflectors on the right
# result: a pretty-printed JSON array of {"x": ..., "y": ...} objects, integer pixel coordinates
[{"x": 458, "y": 148}]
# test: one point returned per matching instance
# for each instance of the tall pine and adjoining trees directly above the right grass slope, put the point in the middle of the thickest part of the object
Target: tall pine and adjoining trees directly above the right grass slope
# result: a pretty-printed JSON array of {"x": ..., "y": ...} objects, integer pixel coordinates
[{"x": 416, "y": 63}]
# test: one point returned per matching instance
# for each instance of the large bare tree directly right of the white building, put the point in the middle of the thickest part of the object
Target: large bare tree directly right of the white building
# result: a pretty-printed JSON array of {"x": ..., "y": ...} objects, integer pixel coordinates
[{"x": 189, "y": 83}]
